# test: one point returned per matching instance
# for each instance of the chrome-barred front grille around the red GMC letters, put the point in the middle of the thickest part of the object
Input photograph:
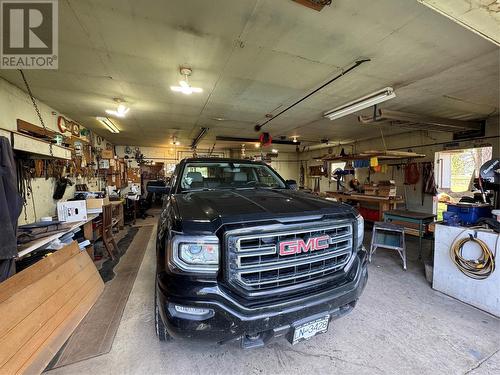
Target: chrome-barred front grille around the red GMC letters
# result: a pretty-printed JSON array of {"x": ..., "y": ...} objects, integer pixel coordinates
[{"x": 255, "y": 263}]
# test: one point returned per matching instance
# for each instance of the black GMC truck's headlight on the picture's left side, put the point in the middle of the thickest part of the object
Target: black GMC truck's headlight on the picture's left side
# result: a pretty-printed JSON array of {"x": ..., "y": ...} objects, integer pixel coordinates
[{"x": 195, "y": 253}]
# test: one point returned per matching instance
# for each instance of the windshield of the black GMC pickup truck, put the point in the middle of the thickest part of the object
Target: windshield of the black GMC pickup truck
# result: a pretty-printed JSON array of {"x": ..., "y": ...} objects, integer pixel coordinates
[{"x": 215, "y": 175}]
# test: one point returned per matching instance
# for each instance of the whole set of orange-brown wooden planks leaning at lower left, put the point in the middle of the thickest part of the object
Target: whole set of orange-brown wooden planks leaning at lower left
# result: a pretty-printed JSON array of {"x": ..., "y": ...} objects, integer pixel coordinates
[{"x": 41, "y": 306}]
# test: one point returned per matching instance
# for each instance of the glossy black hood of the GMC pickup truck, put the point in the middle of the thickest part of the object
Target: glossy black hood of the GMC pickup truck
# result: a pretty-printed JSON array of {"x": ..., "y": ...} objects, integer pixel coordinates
[{"x": 249, "y": 205}]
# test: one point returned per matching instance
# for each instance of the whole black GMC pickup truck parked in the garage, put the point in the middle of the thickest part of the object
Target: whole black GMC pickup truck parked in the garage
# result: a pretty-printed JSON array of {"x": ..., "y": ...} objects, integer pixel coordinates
[{"x": 243, "y": 256}]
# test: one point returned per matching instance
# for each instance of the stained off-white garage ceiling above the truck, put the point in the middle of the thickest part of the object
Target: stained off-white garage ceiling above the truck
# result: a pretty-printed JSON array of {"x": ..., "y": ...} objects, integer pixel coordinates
[{"x": 254, "y": 57}]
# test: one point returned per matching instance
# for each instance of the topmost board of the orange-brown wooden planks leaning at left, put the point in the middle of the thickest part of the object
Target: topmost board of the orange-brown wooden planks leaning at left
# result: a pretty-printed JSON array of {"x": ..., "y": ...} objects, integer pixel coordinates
[{"x": 39, "y": 270}]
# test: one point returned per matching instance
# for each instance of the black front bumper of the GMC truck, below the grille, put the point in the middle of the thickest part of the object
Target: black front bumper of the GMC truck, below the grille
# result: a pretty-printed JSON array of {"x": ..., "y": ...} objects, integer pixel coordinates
[{"x": 228, "y": 320}]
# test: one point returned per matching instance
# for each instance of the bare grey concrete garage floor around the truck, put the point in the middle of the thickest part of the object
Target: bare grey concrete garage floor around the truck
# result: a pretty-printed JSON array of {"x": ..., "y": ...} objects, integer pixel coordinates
[{"x": 400, "y": 326}]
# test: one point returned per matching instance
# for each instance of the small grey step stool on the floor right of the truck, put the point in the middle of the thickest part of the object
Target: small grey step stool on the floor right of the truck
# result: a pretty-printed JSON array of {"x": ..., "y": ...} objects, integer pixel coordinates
[{"x": 381, "y": 236}]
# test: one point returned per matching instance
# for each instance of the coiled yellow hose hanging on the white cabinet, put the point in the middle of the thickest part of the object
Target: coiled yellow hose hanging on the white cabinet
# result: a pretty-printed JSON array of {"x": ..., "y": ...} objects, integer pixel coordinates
[{"x": 479, "y": 268}]
